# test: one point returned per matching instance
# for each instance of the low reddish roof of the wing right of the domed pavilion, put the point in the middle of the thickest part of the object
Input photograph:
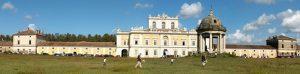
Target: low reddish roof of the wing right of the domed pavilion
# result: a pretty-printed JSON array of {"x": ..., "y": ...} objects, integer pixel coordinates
[{"x": 250, "y": 47}]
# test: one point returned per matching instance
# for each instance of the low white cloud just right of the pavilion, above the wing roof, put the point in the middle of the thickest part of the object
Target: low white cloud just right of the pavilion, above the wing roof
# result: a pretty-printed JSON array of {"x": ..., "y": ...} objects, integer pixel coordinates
[{"x": 240, "y": 37}]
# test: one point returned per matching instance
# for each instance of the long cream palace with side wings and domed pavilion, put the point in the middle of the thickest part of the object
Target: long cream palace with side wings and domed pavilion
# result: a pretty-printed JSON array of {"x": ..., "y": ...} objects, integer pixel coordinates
[{"x": 162, "y": 38}]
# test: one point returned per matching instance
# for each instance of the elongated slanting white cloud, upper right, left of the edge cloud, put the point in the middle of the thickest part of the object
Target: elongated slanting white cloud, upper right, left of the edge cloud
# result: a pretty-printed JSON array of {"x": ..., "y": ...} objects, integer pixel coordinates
[{"x": 261, "y": 21}]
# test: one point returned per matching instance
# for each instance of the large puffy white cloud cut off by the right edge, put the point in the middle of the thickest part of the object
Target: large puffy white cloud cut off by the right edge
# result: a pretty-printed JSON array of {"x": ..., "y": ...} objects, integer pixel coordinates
[{"x": 290, "y": 20}]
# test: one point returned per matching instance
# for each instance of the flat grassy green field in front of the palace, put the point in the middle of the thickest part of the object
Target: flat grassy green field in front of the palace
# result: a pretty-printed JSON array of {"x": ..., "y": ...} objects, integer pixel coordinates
[{"x": 28, "y": 64}]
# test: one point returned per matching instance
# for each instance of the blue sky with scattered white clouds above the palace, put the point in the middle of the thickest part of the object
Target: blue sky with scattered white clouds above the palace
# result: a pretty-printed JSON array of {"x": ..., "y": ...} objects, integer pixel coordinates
[{"x": 247, "y": 21}]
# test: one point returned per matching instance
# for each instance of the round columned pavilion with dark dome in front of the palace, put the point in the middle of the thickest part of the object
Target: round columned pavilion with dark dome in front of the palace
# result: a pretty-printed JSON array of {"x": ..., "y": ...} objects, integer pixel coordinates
[{"x": 211, "y": 34}]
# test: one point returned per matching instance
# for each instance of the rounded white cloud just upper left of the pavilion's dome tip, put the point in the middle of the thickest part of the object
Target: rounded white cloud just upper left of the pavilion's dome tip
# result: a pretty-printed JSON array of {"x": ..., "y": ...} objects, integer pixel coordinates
[{"x": 191, "y": 10}]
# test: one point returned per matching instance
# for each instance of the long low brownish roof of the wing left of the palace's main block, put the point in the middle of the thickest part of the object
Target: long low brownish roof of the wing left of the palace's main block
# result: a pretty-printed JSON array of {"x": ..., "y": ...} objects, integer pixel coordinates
[{"x": 88, "y": 44}]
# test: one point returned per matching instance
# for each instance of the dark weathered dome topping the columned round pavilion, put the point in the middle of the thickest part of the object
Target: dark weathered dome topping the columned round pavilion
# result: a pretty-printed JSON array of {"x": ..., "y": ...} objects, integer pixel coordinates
[{"x": 211, "y": 23}]
